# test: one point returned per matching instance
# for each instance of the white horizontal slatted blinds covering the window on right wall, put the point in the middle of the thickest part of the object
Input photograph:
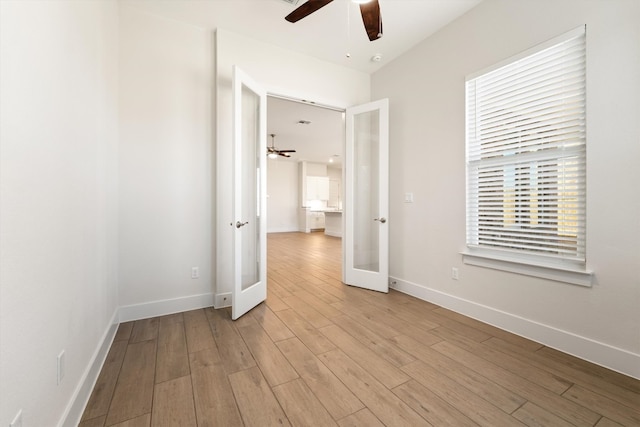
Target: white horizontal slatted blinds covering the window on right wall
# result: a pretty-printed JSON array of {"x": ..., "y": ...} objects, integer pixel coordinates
[{"x": 526, "y": 150}]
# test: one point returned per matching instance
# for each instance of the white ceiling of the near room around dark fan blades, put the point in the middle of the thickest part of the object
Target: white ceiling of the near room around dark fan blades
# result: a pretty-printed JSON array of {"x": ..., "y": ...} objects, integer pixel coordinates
[{"x": 323, "y": 34}]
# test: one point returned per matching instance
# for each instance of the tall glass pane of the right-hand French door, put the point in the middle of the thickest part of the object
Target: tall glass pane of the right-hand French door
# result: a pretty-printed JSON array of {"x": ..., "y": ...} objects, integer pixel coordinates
[{"x": 366, "y": 198}]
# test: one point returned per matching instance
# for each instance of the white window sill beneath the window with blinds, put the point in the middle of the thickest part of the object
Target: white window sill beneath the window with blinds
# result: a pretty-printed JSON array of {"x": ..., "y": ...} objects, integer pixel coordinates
[{"x": 566, "y": 274}]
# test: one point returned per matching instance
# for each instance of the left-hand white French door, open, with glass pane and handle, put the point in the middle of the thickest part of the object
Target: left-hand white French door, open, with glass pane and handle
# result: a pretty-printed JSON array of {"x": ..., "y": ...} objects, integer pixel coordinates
[{"x": 249, "y": 196}]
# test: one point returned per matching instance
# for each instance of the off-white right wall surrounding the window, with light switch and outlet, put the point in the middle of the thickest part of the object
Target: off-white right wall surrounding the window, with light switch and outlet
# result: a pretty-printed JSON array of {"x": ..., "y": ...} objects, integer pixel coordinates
[{"x": 426, "y": 91}]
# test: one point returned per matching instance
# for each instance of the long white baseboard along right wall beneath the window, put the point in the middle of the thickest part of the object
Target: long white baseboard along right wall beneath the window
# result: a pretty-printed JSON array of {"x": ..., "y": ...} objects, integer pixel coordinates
[{"x": 610, "y": 357}]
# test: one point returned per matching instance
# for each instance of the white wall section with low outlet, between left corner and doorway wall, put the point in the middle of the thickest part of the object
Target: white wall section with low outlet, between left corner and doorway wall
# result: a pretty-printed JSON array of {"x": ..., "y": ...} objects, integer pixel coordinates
[{"x": 165, "y": 163}]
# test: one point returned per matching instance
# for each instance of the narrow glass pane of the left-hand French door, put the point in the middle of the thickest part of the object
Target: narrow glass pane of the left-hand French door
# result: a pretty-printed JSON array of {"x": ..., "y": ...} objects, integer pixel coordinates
[{"x": 250, "y": 188}]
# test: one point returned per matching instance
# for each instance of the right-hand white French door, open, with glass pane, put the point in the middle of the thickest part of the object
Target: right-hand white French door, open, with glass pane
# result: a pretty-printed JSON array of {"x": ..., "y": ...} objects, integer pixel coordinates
[{"x": 366, "y": 241}]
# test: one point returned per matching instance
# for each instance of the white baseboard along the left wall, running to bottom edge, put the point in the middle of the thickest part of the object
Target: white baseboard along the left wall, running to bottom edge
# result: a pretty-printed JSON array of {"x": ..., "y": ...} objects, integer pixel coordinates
[{"x": 75, "y": 409}]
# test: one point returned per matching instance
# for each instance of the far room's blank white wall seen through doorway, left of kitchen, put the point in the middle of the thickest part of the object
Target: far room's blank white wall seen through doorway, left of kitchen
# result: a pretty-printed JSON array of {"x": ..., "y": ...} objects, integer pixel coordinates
[{"x": 282, "y": 191}]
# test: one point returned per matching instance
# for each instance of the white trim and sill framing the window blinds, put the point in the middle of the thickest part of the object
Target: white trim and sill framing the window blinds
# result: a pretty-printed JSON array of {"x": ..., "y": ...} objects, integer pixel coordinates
[{"x": 547, "y": 267}]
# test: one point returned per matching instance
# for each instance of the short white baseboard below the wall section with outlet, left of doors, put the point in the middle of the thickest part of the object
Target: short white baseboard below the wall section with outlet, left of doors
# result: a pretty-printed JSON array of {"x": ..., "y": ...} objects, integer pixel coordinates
[{"x": 163, "y": 307}]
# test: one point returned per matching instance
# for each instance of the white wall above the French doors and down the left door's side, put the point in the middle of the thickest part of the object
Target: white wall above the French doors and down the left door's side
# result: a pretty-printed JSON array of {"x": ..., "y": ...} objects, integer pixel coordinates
[{"x": 281, "y": 72}]
